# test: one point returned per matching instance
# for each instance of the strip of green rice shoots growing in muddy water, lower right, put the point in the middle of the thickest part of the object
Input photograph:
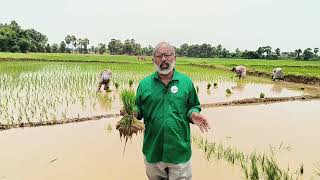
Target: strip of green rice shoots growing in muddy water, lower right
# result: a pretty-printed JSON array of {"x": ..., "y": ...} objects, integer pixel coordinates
[{"x": 254, "y": 166}]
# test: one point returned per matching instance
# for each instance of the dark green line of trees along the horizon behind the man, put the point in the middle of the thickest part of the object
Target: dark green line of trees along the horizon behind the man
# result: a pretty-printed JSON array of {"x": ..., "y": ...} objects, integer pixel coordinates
[{"x": 15, "y": 39}]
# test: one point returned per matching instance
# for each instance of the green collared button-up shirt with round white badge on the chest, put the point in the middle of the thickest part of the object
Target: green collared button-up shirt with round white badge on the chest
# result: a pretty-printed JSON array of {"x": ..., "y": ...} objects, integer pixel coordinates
[{"x": 166, "y": 111}]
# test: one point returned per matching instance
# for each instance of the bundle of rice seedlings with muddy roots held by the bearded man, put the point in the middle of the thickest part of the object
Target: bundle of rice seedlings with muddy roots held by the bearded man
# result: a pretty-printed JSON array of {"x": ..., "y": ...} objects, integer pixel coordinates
[{"x": 129, "y": 124}]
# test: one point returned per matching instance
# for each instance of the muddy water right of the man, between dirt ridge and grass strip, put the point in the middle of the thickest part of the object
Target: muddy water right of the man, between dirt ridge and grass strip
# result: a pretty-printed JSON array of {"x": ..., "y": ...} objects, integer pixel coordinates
[{"x": 295, "y": 125}]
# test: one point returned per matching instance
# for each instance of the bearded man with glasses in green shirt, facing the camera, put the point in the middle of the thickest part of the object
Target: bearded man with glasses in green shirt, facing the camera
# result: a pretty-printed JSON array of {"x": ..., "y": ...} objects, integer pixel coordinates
[{"x": 168, "y": 103}]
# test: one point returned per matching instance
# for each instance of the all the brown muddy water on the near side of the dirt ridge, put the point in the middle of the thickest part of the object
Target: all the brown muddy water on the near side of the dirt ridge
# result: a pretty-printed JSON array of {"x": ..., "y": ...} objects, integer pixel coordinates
[{"x": 88, "y": 150}]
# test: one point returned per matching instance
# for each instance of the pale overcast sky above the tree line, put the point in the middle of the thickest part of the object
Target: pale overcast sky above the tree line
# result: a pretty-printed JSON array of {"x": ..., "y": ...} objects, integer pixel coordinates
[{"x": 244, "y": 24}]
